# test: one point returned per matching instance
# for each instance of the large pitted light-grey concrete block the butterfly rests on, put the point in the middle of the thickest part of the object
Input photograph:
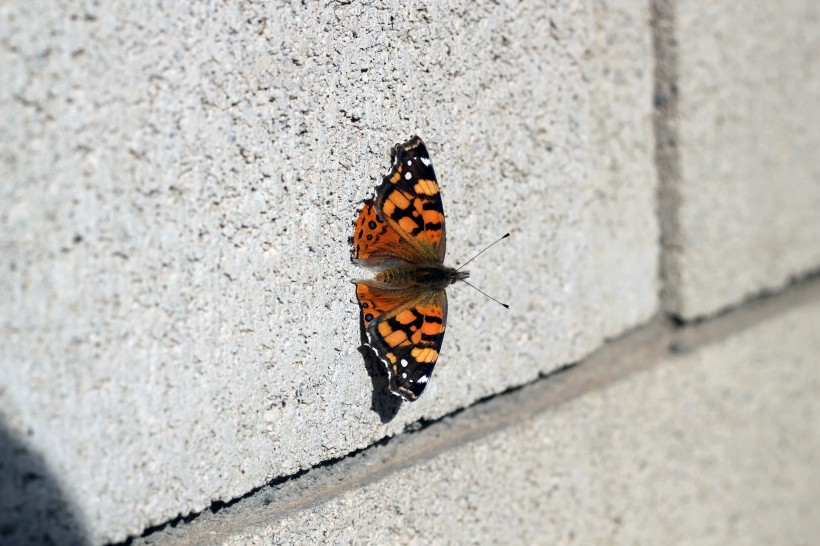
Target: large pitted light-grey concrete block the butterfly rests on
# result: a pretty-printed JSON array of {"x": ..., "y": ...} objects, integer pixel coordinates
[{"x": 178, "y": 182}]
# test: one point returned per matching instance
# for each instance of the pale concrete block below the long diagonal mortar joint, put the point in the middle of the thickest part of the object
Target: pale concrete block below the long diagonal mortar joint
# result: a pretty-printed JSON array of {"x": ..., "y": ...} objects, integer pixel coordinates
[{"x": 718, "y": 446}]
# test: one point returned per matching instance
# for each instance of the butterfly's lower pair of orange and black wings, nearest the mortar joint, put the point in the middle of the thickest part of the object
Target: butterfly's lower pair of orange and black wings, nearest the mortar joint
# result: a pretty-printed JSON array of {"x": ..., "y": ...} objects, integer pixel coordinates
[{"x": 405, "y": 329}]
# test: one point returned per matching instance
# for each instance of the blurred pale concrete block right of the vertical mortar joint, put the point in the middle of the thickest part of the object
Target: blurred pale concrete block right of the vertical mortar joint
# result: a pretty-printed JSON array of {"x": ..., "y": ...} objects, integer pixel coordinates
[{"x": 747, "y": 192}]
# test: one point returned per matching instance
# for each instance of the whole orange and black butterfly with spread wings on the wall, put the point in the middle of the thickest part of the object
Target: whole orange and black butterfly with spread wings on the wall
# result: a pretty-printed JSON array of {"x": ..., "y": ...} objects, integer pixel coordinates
[{"x": 404, "y": 307}]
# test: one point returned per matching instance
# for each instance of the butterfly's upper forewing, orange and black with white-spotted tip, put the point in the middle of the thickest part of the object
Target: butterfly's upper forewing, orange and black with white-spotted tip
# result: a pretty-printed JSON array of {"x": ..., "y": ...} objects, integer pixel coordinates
[{"x": 408, "y": 200}]
